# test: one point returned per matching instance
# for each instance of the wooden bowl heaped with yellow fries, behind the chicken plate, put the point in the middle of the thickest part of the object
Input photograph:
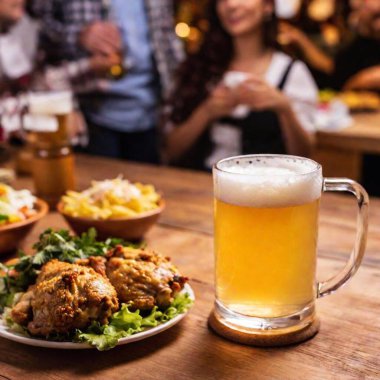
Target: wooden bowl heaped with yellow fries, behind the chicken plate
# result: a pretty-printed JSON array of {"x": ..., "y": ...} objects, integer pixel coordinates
[{"x": 115, "y": 208}]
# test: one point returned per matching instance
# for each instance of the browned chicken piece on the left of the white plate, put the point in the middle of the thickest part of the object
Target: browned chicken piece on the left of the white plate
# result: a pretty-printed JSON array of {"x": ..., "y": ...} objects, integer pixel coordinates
[{"x": 65, "y": 297}]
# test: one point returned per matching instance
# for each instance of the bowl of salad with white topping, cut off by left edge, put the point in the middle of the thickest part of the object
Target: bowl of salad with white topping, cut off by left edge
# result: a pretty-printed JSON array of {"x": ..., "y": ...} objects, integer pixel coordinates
[{"x": 19, "y": 212}]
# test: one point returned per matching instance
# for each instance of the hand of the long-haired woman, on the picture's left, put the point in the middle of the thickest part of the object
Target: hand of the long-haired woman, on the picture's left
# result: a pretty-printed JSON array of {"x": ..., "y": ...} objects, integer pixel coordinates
[{"x": 220, "y": 103}]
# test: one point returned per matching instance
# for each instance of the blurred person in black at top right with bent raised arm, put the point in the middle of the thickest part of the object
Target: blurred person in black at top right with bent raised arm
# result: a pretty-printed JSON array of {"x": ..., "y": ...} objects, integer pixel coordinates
[{"x": 356, "y": 66}]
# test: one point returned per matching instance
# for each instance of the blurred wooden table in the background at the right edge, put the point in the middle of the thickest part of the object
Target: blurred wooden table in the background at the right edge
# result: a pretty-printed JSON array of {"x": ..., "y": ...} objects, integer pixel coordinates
[{"x": 341, "y": 152}]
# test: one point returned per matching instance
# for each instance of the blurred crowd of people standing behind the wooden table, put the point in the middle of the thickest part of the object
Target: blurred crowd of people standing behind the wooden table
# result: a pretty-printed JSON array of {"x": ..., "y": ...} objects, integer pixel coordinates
[{"x": 188, "y": 82}]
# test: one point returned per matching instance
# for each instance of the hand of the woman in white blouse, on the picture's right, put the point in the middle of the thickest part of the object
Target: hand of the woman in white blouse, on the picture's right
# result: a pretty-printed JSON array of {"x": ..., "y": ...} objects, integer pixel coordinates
[{"x": 260, "y": 96}]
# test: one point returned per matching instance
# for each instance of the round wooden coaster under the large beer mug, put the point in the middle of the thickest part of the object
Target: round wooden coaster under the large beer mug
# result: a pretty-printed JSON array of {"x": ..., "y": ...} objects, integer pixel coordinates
[{"x": 260, "y": 340}]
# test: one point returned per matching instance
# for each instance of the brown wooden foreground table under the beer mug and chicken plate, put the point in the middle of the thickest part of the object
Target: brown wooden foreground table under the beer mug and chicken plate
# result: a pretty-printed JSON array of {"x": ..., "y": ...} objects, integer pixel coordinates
[{"x": 347, "y": 347}]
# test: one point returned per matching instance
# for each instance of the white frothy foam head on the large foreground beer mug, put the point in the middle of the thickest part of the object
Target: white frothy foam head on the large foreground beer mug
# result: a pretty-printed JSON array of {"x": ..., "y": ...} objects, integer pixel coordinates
[{"x": 267, "y": 181}]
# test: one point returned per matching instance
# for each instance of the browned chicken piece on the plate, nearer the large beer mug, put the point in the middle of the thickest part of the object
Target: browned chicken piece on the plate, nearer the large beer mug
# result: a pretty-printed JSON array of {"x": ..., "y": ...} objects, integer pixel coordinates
[{"x": 143, "y": 278}]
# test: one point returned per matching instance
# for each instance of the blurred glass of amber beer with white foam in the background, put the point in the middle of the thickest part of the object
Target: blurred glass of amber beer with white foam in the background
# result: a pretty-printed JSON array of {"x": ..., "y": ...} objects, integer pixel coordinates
[{"x": 53, "y": 161}]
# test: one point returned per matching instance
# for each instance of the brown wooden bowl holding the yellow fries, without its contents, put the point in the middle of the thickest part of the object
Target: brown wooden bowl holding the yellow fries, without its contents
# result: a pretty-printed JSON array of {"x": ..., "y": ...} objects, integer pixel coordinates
[{"x": 133, "y": 228}]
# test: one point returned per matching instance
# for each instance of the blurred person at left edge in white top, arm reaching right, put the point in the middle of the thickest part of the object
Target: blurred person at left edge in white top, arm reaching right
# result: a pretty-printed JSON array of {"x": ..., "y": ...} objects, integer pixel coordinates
[{"x": 19, "y": 54}]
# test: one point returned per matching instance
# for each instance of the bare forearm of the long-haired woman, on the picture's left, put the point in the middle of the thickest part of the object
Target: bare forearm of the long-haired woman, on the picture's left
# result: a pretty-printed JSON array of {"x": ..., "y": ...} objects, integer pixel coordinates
[{"x": 181, "y": 138}]
